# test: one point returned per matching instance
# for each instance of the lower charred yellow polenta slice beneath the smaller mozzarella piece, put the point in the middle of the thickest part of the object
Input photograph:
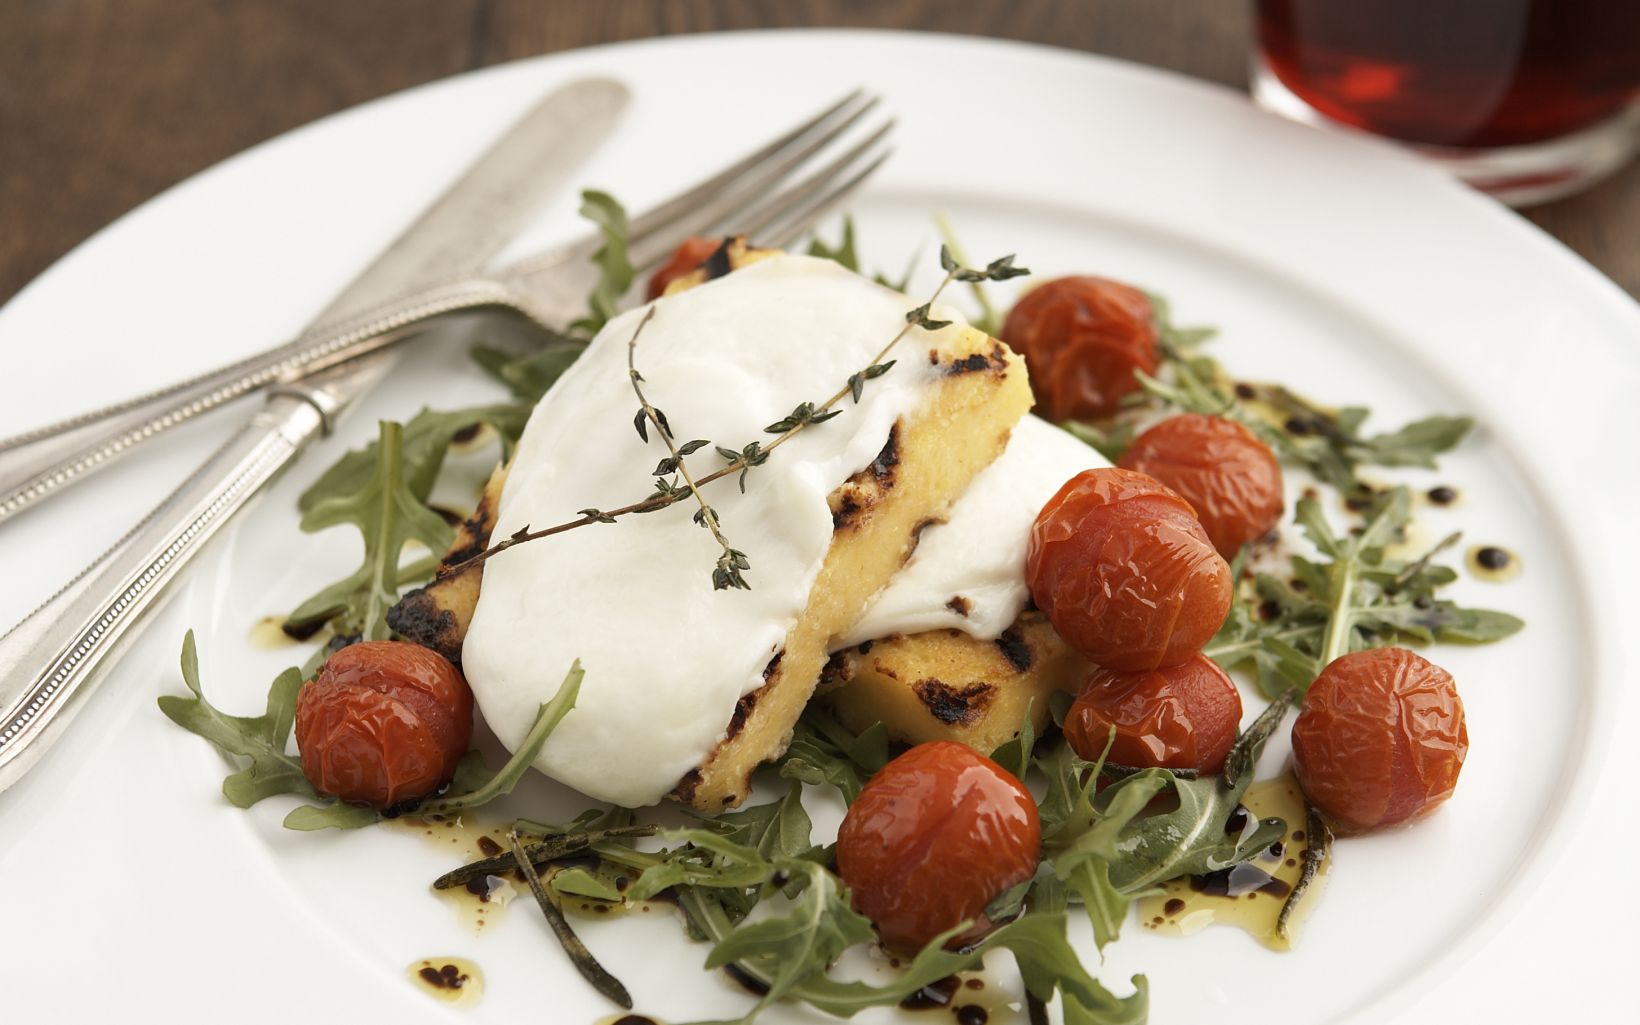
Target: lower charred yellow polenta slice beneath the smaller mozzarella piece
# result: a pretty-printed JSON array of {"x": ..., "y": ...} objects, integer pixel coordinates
[{"x": 947, "y": 685}]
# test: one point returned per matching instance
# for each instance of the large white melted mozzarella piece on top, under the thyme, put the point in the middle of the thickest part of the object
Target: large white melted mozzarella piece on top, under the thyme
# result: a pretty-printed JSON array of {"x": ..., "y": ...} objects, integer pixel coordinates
[{"x": 667, "y": 657}]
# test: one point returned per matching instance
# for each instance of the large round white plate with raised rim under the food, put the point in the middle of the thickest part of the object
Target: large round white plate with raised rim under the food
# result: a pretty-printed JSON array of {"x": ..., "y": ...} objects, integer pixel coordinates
[{"x": 1334, "y": 265}]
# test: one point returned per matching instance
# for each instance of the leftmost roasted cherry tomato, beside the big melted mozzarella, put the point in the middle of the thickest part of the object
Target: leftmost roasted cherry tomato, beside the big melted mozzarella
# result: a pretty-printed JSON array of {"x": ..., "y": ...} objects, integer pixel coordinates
[{"x": 385, "y": 722}]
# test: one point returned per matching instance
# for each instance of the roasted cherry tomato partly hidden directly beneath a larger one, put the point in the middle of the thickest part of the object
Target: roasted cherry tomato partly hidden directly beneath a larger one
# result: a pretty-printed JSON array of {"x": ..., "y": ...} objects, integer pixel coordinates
[{"x": 1178, "y": 717}]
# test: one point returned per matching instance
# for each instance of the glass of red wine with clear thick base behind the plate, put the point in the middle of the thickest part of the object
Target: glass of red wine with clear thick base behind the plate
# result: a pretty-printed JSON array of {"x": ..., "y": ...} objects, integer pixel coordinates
[{"x": 1524, "y": 99}]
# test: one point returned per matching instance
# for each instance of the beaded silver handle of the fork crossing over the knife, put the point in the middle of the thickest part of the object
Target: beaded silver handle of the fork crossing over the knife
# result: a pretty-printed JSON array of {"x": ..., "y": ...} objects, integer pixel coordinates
[{"x": 43, "y": 462}]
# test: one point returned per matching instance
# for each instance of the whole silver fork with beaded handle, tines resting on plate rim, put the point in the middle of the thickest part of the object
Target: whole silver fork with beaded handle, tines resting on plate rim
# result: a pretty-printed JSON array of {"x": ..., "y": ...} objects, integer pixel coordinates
[{"x": 755, "y": 196}]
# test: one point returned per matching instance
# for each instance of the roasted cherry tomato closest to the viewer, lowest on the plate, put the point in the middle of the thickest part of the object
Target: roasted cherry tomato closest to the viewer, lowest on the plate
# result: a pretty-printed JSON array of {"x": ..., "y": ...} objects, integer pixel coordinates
[{"x": 934, "y": 839}]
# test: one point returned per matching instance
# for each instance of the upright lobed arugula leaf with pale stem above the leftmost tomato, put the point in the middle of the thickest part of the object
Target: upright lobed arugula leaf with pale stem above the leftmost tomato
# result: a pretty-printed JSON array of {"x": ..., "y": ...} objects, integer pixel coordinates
[{"x": 389, "y": 514}]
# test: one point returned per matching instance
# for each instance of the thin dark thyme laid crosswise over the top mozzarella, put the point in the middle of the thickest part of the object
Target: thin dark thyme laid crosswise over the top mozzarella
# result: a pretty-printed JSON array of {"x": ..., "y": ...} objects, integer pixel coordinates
[{"x": 804, "y": 416}]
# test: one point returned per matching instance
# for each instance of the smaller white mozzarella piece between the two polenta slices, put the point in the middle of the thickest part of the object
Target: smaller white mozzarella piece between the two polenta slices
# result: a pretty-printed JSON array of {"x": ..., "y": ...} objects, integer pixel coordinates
[{"x": 970, "y": 572}]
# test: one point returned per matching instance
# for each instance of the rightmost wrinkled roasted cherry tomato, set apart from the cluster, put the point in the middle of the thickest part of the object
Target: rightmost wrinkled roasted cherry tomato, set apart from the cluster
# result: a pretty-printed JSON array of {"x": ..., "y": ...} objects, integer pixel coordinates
[{"x": 1380, "y": 739}]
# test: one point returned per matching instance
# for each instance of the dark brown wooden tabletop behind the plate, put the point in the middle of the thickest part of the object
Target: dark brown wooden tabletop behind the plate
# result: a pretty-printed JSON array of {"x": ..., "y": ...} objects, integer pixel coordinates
[{"x": 107, "y": 102}]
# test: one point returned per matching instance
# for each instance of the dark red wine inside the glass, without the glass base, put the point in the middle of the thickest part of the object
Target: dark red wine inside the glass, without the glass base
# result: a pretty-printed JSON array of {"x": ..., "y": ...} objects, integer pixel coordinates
[{"x": 1457, "y": 73}]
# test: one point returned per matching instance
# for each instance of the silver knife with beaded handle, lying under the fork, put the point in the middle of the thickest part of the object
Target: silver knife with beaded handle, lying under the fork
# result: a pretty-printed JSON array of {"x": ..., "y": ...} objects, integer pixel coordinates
[{"x": 52, "y": 662}]
